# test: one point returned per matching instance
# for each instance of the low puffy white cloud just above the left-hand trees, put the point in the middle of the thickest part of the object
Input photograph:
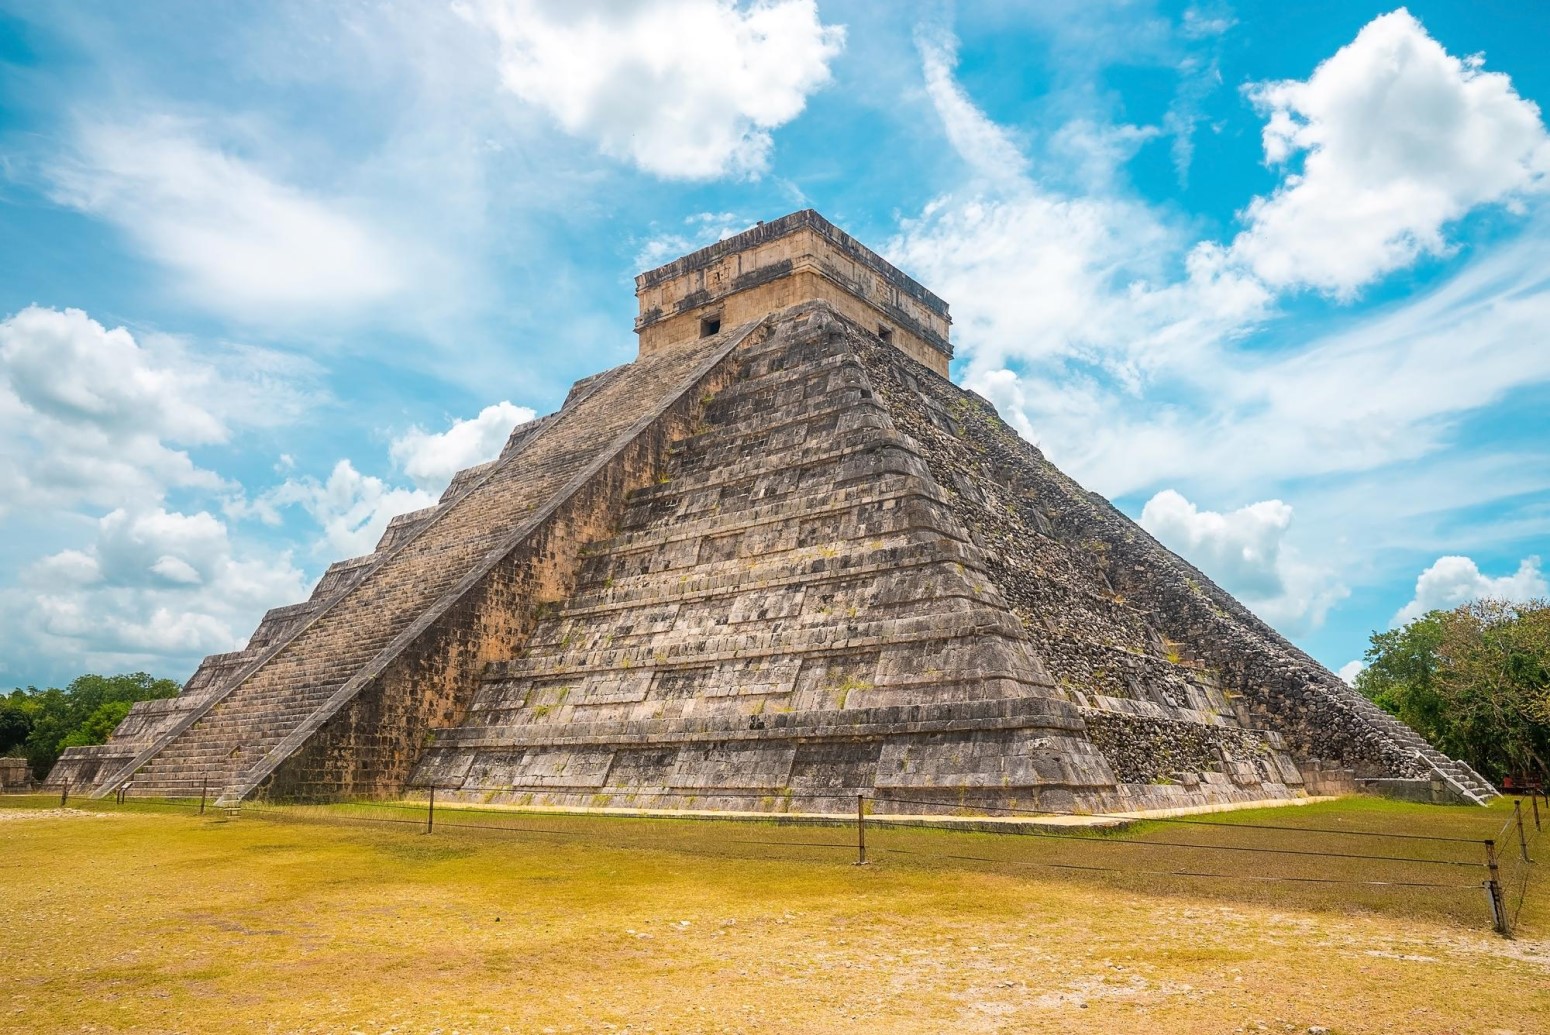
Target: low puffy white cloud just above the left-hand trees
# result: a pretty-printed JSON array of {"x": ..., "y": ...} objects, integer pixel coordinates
[{"x": 154, "y": 588}]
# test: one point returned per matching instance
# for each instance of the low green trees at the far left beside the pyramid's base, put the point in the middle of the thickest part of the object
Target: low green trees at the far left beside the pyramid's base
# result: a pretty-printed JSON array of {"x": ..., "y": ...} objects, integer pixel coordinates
[{"x": 41, "y": 724}]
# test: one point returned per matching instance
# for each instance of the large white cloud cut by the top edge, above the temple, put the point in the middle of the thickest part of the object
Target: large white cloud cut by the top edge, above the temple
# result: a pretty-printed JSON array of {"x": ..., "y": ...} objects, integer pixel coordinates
[{"x": 683, "y": 89}]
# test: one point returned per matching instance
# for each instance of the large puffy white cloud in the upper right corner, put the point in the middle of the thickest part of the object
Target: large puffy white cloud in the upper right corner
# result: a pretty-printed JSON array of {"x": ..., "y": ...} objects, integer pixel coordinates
[{"x": 1397, "y": 139}]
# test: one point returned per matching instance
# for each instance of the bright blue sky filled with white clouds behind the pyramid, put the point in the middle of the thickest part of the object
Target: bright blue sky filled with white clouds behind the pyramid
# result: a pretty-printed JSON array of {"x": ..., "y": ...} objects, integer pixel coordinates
[{"x": 1273, "y": 278}]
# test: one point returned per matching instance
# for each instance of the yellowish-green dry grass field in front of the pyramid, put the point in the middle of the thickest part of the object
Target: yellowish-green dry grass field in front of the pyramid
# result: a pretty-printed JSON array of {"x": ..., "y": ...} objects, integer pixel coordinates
[{"x": 134, "y": 920}]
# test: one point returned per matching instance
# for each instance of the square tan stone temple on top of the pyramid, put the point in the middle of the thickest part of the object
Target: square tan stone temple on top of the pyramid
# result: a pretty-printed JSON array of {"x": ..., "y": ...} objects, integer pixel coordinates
[{"x": 794, "y": 260}]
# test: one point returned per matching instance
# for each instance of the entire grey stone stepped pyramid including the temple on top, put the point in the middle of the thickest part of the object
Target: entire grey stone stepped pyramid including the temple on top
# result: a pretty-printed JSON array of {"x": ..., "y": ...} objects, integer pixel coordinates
[{"x": 776, "y": 562}]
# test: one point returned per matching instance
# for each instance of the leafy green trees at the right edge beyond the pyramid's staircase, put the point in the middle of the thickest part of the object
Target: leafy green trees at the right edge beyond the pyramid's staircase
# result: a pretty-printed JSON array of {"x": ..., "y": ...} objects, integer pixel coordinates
[{"x": 1473, "y": 681}]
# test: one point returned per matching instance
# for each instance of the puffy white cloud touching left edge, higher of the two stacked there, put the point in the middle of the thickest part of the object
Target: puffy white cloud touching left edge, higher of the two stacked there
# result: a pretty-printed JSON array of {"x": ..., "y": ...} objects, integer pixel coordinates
[{"x": 92, "y": 416}]
